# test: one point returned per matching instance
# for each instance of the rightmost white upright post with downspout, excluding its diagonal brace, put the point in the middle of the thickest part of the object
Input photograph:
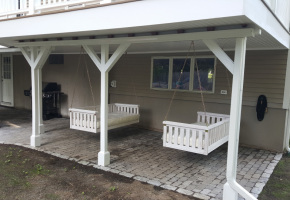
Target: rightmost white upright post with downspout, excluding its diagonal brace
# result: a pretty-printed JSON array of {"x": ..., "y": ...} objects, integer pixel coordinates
[{"x": 232, "y": 188}]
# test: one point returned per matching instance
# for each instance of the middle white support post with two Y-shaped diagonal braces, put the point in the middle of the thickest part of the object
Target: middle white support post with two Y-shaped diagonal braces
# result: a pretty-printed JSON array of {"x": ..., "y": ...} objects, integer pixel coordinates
[{"x": 105, "y": 64}]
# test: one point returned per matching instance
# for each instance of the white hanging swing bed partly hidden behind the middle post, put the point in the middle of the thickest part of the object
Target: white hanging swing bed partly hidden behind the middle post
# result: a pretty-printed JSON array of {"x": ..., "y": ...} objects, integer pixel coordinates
[{"x": 88, "y": 118}]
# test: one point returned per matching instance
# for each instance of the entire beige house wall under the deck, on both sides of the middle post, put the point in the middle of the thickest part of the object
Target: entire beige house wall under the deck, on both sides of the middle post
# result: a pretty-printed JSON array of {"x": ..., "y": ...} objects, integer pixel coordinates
[{"x": 264, "y": 74}]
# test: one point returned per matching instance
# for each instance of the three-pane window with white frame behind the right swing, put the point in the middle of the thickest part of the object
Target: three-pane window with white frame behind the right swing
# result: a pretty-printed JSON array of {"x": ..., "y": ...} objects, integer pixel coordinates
[{"x": 184, "y": 74}]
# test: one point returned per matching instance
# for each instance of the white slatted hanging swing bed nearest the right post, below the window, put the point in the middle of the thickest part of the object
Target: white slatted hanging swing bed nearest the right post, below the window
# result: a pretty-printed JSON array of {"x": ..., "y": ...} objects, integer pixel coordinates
[{"x": 199, "y": 137}]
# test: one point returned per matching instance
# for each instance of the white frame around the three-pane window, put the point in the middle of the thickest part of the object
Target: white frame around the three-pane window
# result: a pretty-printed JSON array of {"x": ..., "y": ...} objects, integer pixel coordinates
[{"x": 192, "y": 65}]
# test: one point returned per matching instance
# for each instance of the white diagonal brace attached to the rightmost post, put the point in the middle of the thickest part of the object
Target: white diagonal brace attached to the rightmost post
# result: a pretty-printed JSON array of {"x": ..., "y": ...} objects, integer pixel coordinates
[{"x": 220, "y": 54}]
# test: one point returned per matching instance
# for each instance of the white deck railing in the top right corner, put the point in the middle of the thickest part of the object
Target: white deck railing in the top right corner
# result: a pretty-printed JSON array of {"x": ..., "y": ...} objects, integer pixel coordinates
[{"x": 281, "y": 8}]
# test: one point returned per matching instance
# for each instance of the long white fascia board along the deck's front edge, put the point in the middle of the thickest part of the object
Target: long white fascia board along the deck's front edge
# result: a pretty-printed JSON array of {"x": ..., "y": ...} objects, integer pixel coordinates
[{"x": 121, "y": 16}]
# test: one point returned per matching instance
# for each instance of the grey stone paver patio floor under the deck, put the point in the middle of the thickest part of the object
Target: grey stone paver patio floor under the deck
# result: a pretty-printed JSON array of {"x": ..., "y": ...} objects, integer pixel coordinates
[{"x": 138, "y": 153}]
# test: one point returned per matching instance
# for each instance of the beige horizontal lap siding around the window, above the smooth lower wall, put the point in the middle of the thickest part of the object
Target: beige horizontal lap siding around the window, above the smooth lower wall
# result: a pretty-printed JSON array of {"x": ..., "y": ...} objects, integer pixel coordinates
[{"x": 264, "y": 74}]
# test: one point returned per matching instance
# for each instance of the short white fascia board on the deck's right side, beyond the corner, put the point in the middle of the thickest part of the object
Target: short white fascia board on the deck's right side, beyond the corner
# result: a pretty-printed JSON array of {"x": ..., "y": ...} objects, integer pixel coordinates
[{"x": 259, "y": 14}]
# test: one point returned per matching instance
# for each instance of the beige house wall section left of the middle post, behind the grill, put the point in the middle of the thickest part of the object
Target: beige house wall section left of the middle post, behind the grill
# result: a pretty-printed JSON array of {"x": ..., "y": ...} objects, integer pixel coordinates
[{"x": 67, "y": 75}]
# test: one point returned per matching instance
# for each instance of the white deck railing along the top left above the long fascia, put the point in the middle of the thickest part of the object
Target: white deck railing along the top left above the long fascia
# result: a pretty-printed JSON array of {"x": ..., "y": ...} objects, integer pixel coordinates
[{"x": 16, "y": 8}]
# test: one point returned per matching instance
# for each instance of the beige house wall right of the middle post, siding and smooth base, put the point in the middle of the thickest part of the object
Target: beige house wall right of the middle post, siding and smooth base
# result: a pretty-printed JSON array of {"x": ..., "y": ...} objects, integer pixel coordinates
[{"x": 264, "y": 74}]
